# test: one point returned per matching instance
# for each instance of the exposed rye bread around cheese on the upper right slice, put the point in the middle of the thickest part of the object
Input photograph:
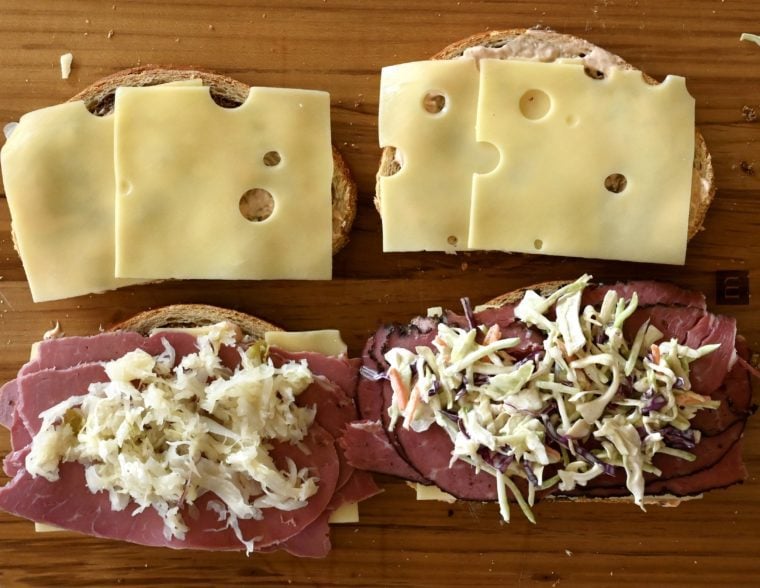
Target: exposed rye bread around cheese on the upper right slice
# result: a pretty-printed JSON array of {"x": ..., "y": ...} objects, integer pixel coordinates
[{"x": 548, "y": 46}]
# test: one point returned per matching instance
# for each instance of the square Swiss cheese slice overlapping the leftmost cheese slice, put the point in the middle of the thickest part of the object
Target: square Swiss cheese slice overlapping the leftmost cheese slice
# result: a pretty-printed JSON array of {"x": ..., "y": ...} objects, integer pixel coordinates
[{"x": 182, "y": 165}]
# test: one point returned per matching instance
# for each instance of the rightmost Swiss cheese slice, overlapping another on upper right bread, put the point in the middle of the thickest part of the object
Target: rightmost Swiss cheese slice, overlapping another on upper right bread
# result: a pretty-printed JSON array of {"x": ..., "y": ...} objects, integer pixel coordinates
[{"x": 548, "y": 193}]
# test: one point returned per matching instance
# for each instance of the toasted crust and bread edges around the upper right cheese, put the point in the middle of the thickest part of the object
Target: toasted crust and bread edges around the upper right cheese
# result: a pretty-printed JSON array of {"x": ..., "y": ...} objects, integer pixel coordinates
[{"x": 703, "y": 179}]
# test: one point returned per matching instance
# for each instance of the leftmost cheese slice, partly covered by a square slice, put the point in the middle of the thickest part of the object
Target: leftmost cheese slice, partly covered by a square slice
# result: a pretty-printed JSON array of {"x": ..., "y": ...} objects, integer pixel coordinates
[{"x": 58, "y": 173}]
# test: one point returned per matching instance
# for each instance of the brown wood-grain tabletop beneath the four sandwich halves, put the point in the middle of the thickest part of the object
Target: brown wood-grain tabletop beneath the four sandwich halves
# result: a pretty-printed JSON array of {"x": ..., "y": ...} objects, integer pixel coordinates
[{"x": 340, "y": 46}]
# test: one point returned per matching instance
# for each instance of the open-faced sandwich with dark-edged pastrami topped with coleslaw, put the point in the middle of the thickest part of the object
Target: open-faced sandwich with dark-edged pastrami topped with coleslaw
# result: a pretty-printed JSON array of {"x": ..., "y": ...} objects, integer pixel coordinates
[{"x": 566, "y": 390}]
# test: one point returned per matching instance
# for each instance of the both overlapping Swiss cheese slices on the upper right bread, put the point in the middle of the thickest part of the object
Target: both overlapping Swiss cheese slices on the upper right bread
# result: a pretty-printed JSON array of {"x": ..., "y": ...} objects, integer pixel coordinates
[{"x": 535, "y": 182}]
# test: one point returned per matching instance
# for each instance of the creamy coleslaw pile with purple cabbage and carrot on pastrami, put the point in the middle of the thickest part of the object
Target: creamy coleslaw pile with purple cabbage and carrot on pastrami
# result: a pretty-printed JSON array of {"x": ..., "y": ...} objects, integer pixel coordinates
[{"x": 584, "y": 404}]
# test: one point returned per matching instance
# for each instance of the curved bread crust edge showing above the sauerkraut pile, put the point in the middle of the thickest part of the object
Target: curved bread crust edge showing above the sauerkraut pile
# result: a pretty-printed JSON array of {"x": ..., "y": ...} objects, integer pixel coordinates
[{"x": 193, "y": 315}]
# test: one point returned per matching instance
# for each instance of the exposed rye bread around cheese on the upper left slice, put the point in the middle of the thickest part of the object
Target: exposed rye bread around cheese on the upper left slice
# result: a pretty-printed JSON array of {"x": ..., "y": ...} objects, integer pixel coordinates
[{"x": 228, "y": 93}]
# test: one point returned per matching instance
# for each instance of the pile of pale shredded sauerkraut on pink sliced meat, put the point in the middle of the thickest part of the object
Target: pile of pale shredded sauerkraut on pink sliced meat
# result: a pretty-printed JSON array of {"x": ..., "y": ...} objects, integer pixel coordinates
[{"x": 159, "y": 436}]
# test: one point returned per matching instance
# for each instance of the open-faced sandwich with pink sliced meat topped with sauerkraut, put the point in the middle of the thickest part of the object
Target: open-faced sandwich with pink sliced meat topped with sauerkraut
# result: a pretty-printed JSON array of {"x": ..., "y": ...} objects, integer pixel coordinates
[{"x": 187, "y": 427}]
